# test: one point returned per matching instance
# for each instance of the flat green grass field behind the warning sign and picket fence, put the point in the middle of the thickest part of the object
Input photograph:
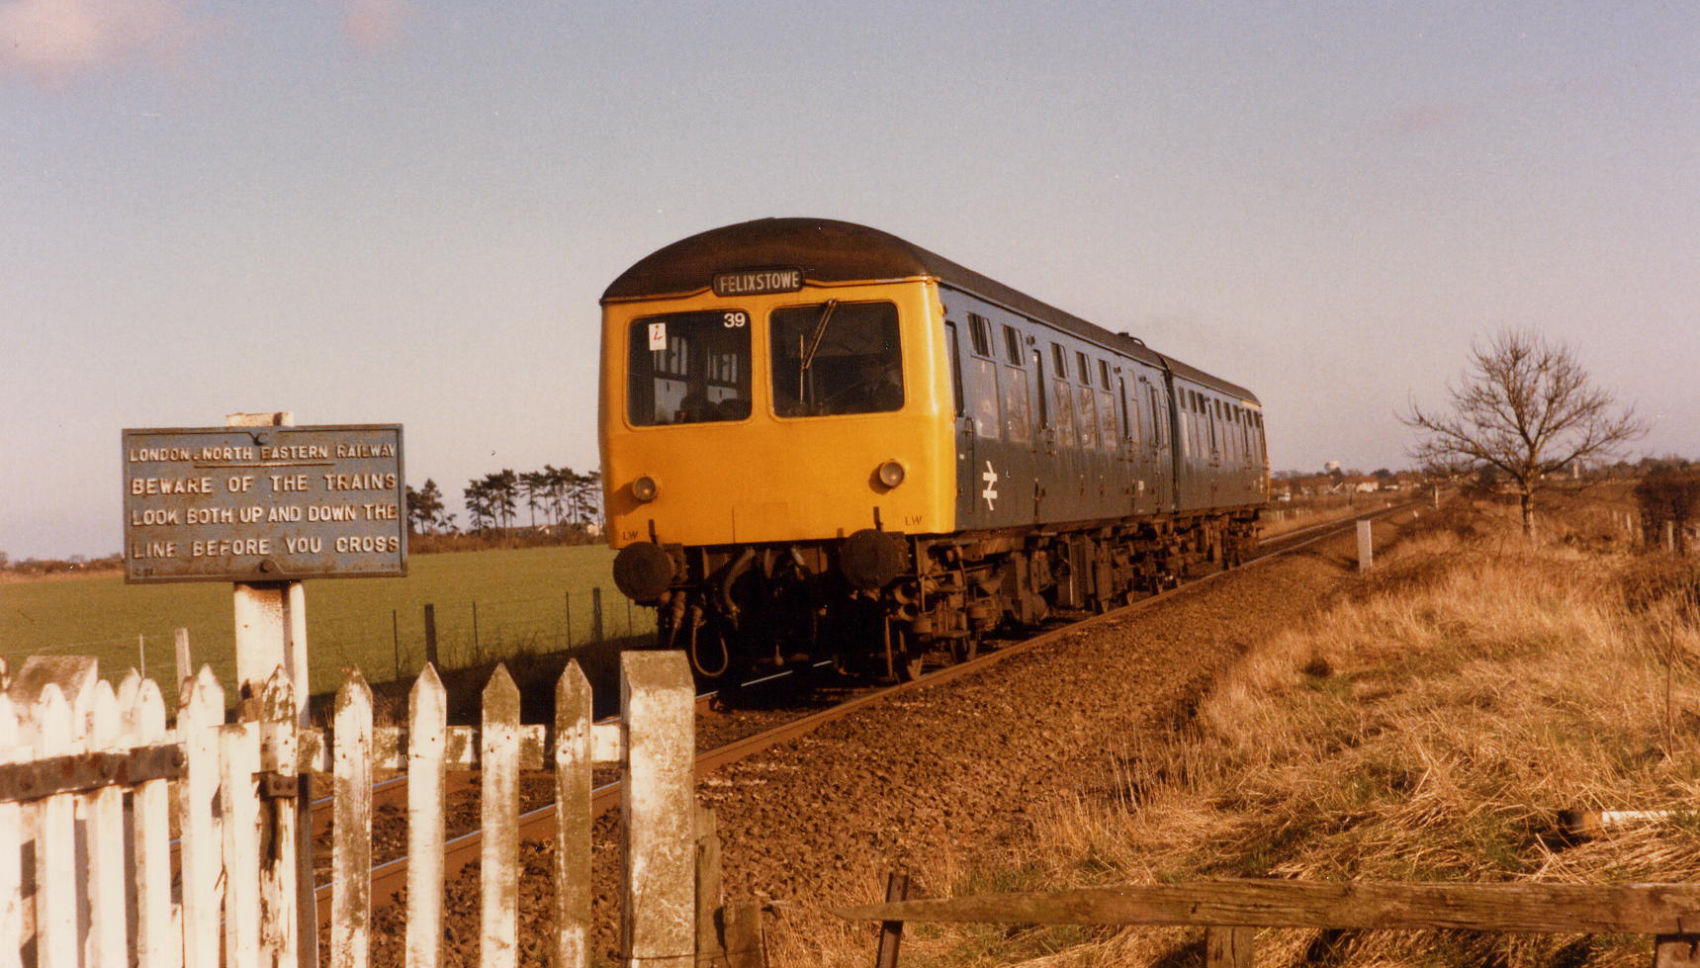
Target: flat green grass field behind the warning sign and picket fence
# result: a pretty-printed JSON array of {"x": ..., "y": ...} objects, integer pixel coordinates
[{"x": 521, "y": 598}]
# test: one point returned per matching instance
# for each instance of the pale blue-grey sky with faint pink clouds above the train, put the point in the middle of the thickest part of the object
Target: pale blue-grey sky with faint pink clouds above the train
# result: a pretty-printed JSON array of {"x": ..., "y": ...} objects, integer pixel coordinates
[{"x": 405, "y": 212}]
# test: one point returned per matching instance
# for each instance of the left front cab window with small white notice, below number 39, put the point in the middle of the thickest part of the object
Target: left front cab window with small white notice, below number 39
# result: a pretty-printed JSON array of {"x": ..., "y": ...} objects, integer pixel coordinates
[{"x": 689, "y": 368}]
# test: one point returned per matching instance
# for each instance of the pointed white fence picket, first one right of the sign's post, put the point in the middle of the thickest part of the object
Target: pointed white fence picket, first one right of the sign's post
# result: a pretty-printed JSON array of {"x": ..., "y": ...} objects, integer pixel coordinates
[{"x": 351, "y": 858}]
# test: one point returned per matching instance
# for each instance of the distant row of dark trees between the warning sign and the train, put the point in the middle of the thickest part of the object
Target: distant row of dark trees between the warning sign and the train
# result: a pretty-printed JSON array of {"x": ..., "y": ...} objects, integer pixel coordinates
[{"x": 562, "y": 496}]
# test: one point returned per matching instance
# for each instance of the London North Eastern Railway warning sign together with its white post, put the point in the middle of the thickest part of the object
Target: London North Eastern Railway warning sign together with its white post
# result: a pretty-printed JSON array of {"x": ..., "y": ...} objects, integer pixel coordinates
[{"x": 264, "y": 504}]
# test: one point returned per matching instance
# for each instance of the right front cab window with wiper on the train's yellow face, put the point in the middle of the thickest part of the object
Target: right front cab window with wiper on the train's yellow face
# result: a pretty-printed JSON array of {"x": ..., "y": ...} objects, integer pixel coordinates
[{"x": 837, "y": 358}]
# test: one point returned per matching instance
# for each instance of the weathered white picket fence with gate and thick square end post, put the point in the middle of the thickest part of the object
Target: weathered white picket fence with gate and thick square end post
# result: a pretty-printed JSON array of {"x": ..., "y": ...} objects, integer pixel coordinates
[{"x": 94, "y": 783}]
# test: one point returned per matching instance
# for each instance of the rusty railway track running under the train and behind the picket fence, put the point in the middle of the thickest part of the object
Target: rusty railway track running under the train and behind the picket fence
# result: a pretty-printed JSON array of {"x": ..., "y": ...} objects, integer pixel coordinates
[{"x": 538, "y": 824}]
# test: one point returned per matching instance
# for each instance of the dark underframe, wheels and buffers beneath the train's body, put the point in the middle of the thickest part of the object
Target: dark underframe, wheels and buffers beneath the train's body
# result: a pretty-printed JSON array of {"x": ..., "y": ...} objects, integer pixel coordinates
[{"x": 888, "y": 605}]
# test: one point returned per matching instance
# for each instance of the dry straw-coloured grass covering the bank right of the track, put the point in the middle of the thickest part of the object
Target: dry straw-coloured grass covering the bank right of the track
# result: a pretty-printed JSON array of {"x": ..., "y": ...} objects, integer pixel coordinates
[{"x": 1427, "y": 727}]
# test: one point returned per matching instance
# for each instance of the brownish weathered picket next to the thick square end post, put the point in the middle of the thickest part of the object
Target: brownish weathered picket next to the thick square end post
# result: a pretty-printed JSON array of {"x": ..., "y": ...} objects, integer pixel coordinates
[{"x": 572, "y": 821}]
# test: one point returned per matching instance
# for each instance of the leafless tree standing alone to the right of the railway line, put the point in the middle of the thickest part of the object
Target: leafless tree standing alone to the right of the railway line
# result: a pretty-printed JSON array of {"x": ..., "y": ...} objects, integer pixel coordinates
[{"x": 1527, "y": 409}]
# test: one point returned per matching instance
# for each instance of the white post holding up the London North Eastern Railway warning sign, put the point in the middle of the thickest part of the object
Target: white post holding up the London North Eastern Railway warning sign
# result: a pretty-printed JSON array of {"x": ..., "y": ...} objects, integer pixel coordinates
[{"x": 271, "y": 632}]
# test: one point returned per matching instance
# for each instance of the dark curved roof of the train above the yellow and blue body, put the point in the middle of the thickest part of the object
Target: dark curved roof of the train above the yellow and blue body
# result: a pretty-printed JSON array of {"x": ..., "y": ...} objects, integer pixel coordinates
[{"x": 832, "y": 251}]
